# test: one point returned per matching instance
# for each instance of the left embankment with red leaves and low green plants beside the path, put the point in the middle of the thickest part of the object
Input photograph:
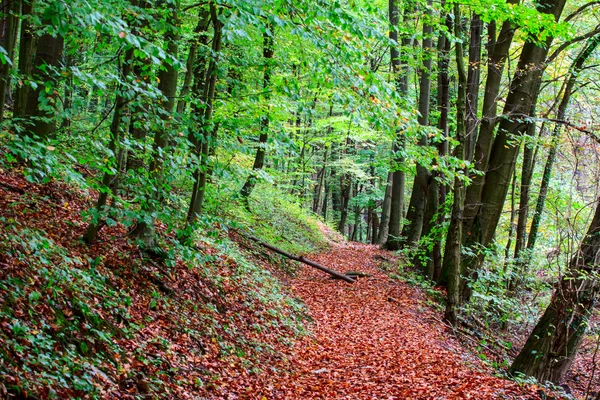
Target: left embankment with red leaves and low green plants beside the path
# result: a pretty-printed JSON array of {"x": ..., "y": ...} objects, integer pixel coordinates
[{"x": 107, "y": 321}]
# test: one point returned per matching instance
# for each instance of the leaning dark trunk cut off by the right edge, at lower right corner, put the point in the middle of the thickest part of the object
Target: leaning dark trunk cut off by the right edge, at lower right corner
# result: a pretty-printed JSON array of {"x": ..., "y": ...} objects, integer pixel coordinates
[{"x": 553, "y": 343}]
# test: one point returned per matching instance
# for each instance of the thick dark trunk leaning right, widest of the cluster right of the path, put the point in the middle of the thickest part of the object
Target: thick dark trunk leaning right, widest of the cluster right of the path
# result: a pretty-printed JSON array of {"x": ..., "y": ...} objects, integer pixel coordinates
[{"x": 522, "y": 95}]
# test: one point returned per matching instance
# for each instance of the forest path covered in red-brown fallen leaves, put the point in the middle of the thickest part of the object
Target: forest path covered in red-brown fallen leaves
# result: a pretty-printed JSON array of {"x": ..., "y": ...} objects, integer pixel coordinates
[{"x": 377, "y": 339}]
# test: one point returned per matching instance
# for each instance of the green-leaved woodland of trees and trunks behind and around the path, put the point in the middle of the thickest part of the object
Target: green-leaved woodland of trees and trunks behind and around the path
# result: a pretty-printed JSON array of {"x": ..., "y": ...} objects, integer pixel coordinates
[{"x": 462, "y": 134}]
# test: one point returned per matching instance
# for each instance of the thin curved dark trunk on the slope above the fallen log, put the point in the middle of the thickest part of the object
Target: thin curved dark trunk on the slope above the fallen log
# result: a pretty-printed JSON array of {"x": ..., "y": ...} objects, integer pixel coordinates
[{"x": 259, "y": 160}]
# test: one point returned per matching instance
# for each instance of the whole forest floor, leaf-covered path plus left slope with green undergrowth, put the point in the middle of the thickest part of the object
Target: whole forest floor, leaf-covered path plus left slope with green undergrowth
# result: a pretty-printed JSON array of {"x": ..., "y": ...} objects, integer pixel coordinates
[{"x": 378, "y": 338}]
